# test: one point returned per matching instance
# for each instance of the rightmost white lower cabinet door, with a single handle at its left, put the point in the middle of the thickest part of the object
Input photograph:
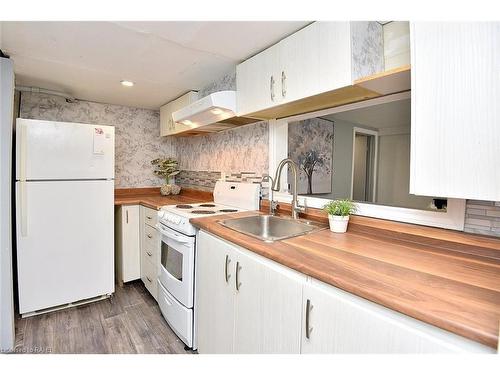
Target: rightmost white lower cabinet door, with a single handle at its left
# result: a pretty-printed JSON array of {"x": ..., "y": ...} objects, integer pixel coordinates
[{"x": 339, "y": 322}]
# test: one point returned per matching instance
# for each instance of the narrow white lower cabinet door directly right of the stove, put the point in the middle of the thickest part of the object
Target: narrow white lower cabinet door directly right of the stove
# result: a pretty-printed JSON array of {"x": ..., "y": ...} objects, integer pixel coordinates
[{"x": 214, "y": 307}]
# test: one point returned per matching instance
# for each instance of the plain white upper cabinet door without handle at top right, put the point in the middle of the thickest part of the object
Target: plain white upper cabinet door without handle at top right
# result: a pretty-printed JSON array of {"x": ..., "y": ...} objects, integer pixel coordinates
[{"x": 455, "y": 110}]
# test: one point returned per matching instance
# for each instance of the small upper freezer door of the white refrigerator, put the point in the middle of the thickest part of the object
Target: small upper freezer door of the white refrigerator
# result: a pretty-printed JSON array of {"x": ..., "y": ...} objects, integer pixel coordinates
[{"x": 48, "y": 150}]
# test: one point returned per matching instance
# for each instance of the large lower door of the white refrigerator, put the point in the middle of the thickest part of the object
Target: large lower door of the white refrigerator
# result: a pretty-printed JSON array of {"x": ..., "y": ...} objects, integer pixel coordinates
[{"x": 65, "y": 242}]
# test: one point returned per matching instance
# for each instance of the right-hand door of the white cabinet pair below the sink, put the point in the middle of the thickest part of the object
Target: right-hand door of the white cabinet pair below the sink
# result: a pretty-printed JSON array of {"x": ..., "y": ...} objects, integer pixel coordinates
[{"x": 267, "y": 306}]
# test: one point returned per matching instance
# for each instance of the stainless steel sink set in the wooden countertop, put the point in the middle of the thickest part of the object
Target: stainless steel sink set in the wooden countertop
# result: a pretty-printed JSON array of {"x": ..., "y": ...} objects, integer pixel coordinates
[{"x": 270, "y": 228}]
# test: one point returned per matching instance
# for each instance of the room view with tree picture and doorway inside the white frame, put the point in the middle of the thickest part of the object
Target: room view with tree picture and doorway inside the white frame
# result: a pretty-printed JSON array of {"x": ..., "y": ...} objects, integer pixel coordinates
[{"x": 361, "y": 154}]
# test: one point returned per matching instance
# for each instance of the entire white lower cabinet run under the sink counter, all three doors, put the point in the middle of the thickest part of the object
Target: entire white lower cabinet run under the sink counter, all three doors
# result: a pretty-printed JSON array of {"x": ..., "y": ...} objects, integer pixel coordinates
[{"x": 246, "y": 303}]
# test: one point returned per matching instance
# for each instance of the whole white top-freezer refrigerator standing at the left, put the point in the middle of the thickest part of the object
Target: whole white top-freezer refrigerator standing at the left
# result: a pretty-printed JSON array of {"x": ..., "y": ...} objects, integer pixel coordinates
[{"x": 64, "y": 213}]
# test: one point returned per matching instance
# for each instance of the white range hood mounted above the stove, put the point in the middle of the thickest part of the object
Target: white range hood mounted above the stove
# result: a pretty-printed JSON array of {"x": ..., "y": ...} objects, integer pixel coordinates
[{"x": 212, "y": 113}]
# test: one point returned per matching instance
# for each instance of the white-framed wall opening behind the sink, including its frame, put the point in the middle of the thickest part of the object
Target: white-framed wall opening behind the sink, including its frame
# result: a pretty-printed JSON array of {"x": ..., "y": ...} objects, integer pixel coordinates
[{"x": 361, "y": 152}]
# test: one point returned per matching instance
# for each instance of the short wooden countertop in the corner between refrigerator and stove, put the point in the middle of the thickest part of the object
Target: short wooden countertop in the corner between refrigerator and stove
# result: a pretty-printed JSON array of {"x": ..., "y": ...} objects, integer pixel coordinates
[{"x": 151, "y": 197}]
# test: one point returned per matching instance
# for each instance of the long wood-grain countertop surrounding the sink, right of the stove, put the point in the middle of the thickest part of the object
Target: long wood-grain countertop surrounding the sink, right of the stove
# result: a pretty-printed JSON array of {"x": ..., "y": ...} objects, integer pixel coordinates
[{"x": 445, "y": 278}]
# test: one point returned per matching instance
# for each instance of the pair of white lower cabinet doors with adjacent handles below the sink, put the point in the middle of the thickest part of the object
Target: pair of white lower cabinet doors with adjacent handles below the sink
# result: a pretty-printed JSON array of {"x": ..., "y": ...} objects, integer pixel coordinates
[{"x": 245, "y": 303}]
